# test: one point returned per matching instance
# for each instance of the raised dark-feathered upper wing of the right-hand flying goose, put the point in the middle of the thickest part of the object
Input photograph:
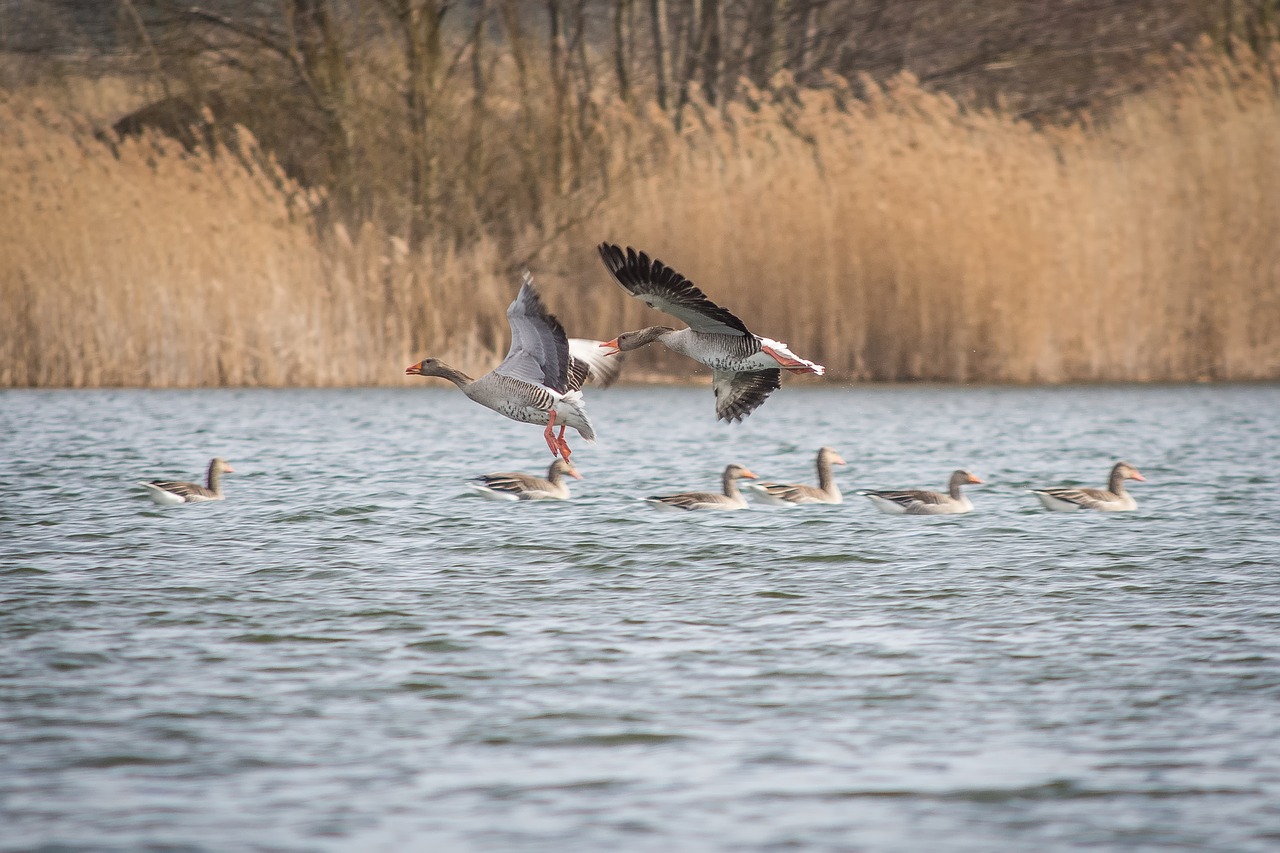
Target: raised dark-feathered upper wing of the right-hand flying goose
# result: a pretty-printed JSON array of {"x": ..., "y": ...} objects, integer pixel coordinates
[{"x": 664, "y": 289}]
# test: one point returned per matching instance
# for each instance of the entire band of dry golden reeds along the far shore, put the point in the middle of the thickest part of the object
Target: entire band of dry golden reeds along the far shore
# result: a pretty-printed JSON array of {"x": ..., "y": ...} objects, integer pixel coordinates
[{"x": 895, "y": 238}]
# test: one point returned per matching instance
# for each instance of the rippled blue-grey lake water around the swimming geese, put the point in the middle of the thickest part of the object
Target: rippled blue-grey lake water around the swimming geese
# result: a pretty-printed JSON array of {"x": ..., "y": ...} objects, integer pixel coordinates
[{"x": 351, "y": 654}]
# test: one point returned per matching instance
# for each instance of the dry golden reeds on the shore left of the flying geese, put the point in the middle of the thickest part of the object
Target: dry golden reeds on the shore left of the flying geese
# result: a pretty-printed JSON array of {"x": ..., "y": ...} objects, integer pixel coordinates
[{"x": 163, "y": 268}]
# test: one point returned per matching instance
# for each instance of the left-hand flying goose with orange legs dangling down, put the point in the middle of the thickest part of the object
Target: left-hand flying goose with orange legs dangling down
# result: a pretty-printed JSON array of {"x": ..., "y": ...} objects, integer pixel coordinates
[{"x": 537, "y": 384}]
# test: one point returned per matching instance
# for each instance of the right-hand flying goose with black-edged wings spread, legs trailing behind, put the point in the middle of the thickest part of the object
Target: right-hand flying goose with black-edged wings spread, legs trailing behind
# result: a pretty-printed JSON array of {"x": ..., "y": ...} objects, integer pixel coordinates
[{"x": 746, "y": 368}]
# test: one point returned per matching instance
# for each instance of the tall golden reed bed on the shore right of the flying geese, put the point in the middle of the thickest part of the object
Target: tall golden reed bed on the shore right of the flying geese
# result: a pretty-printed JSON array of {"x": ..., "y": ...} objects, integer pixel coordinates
[{"x": 904, "y": 239}]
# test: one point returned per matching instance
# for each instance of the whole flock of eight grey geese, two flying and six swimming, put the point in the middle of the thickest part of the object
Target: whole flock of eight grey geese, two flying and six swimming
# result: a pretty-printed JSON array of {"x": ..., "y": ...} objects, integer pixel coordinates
[{"x": 541, "y": 382}]
